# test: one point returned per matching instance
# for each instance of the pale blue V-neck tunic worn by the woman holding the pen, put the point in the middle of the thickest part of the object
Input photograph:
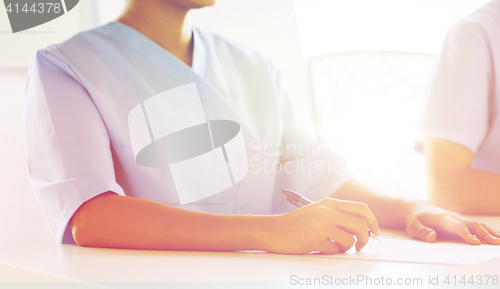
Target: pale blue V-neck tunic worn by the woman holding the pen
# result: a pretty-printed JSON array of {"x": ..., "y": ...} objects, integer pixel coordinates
[{"x": 110, "y": 110}]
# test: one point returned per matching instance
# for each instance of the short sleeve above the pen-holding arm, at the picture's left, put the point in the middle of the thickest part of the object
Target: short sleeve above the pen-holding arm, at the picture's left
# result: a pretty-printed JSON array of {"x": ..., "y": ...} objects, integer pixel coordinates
[{"x": 68, "y": 147}]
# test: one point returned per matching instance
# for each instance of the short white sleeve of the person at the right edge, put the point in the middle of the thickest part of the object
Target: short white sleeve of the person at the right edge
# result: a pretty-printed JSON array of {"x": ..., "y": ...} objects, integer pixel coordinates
[{"x": 457, "y": 105}]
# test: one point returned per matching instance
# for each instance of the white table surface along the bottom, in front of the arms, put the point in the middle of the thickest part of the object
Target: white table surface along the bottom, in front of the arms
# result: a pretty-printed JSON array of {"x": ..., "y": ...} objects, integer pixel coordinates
[{"x": 96, "y": 267}]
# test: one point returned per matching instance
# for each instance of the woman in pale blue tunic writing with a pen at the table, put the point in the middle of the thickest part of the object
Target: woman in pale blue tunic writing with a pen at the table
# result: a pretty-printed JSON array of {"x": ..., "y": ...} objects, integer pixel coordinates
[{"x": 147, "y": 133}]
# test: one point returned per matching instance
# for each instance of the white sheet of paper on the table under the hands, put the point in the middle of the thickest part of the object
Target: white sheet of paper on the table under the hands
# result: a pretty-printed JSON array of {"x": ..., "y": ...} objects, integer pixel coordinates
[{"x": 422, "y": 252}]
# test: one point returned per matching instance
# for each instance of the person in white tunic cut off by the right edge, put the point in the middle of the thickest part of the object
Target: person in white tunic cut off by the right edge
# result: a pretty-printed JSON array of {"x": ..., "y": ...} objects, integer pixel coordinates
[{"x": 461, "y": 123}]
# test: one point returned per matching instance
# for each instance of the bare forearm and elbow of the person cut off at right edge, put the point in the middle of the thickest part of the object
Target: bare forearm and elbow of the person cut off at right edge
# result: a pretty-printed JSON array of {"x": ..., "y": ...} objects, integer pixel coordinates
[{"x": 467, "y": 191}]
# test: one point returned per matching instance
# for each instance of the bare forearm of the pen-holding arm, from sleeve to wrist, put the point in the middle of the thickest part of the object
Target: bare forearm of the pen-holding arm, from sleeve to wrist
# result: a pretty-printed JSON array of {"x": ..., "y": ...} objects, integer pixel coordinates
[{"x": 114, "y": 221}]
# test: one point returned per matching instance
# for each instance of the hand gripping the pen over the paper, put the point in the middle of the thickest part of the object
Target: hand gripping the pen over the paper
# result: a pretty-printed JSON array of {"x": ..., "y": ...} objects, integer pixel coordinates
[{"x": 328, "y": 226}]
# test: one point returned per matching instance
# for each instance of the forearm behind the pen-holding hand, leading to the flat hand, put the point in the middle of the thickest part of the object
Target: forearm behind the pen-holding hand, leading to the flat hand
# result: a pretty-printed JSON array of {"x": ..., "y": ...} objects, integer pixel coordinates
[{"x": 391, "y": 213}]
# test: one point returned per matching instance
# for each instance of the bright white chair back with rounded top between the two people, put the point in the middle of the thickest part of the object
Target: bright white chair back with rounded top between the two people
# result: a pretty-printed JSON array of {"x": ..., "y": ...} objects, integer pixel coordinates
[{"x": 370, "y": 105}]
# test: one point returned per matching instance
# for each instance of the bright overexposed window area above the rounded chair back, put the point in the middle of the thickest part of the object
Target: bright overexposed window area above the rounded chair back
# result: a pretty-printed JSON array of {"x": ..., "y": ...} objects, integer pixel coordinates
[{"x": 328, "y": 26}]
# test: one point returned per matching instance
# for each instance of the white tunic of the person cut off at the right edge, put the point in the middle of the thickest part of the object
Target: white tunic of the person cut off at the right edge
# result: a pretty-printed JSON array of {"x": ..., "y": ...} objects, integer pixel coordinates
[{"x": 464, "y": 97}]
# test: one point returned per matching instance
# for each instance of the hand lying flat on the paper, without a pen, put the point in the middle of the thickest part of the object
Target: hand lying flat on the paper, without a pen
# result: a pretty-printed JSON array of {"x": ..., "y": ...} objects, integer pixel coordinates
[{"x": 425, "y": 220}]
